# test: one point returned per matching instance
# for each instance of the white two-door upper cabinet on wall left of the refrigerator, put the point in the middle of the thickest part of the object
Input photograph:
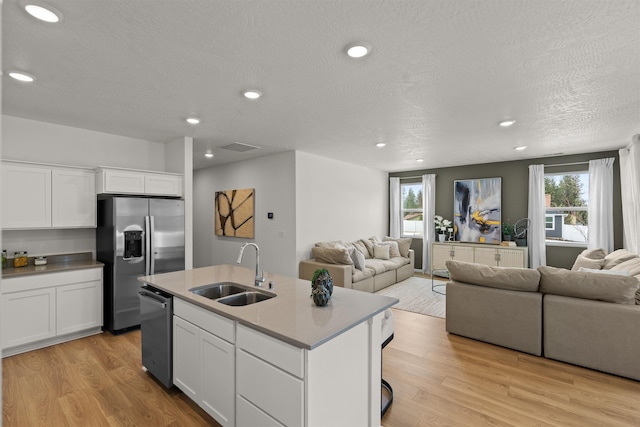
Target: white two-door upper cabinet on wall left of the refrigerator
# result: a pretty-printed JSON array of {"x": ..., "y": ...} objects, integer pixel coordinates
[{"x": 46, "y": 196}]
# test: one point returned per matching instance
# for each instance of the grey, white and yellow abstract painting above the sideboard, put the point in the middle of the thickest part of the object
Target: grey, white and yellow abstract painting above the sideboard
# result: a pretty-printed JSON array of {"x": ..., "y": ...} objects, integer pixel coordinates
[{"x": 476, "y": 210}]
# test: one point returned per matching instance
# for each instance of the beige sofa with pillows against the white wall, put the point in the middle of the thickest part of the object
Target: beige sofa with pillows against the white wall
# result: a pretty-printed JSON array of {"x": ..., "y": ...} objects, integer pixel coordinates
[{"x": 365, "y": 264}]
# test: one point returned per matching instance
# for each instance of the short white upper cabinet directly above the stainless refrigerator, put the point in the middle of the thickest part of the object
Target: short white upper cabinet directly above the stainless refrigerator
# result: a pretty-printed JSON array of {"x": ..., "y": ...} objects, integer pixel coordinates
[{"x": 127, "y": 181}]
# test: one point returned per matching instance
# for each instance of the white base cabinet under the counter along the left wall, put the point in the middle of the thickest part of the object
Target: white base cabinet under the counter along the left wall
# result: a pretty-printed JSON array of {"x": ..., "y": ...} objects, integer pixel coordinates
[{"x": 49, "y": 308}]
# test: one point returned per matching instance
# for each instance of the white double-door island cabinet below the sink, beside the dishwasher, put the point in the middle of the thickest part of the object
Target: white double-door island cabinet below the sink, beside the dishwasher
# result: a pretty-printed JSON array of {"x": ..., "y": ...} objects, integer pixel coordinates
[{"x": 204, "y": 361}]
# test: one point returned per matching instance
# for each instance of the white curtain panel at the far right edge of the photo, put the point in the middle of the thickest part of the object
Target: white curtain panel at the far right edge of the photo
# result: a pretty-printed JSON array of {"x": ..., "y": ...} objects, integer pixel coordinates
[{"x": 630, "y": 189}]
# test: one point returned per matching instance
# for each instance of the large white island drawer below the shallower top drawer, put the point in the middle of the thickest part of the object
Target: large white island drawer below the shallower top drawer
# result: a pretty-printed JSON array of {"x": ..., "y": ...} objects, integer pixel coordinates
[{"x": 274, "y": 391}]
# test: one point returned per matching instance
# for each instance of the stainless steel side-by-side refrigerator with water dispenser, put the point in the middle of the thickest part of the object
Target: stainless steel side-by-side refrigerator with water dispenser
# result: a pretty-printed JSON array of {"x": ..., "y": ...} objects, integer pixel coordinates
[{"x": 136, "y": 237}]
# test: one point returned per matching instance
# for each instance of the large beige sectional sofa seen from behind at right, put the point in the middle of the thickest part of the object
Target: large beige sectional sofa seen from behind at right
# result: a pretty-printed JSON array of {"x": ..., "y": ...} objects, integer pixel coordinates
[{"x": 587, "y": 316}]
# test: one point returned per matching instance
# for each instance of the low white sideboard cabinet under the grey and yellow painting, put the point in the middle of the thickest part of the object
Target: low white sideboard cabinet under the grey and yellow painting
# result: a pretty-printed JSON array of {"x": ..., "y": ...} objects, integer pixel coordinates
[{"x": 502, "y": 256}]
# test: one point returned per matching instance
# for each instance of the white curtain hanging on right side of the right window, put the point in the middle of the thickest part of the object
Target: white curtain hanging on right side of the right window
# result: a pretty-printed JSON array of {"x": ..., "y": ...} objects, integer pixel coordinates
[{"x": 600, "y": 210}]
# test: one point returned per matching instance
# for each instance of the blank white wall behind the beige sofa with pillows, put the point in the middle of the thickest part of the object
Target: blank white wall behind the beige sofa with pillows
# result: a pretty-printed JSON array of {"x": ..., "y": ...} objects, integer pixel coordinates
[{"x": 338, "y": 201}]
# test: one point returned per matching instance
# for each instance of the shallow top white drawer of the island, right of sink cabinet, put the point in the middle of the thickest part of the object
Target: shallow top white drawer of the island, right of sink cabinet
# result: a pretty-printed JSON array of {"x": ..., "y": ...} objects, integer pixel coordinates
[{"x": 276, "y": 352}]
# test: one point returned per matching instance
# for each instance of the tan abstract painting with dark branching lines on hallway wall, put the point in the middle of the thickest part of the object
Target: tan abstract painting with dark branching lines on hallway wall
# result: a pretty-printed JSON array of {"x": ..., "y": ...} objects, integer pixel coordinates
[{"x": 235, "y": 213}]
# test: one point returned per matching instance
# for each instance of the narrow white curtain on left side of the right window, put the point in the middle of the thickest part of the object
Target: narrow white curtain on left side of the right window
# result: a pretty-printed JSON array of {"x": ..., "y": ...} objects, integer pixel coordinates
[{"x": 536, "y": 233}]
